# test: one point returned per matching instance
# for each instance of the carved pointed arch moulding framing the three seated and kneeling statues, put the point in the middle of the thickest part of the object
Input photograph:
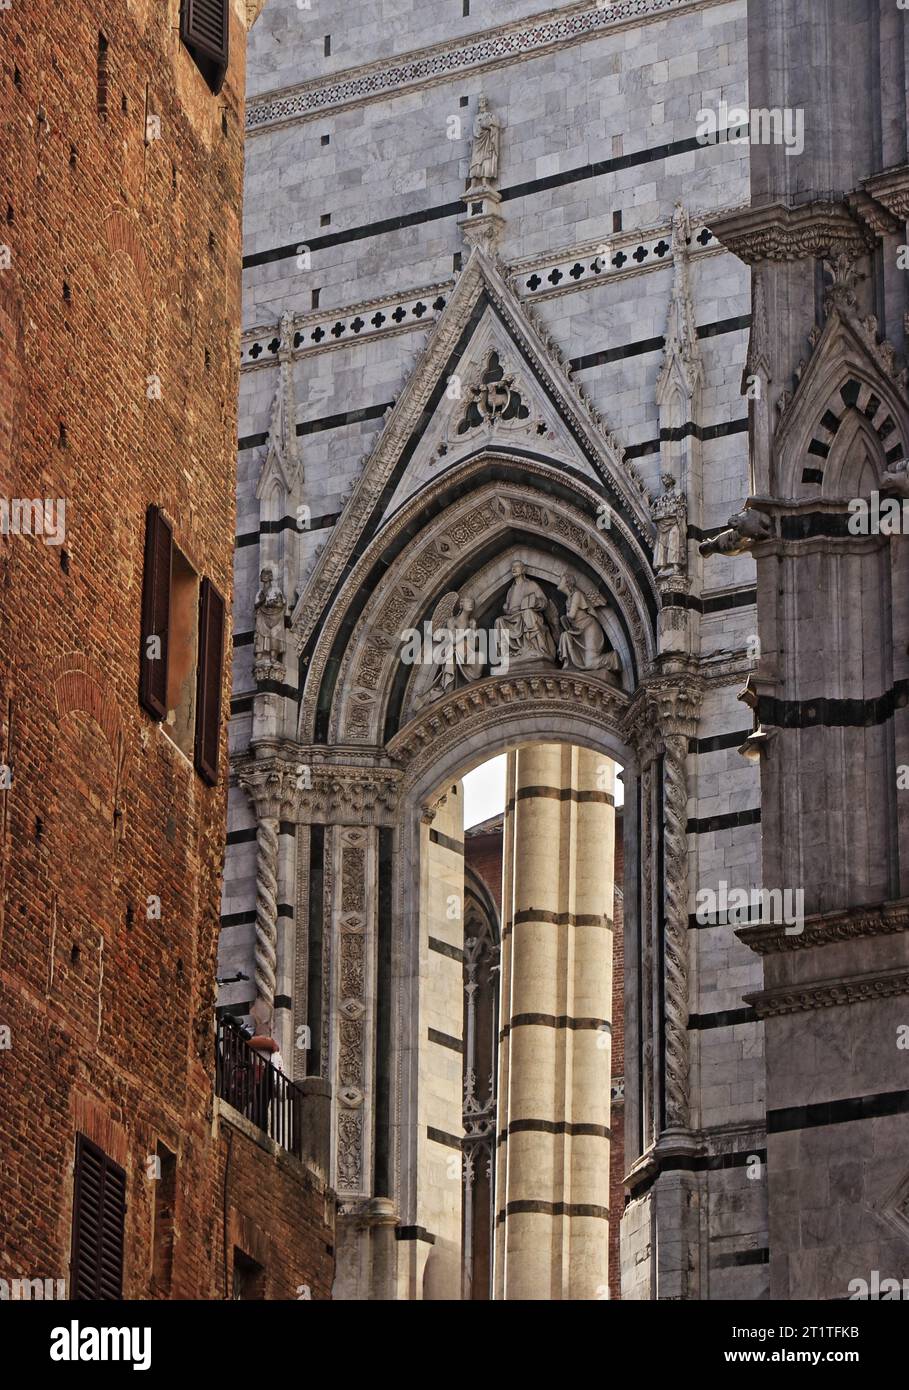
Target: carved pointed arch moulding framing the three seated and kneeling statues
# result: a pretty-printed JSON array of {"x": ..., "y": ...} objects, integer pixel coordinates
[{"x": 466, "y": 528}]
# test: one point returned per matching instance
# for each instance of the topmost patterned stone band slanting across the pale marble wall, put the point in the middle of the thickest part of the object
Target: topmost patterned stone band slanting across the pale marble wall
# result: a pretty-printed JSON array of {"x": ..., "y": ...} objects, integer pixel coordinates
[{"x": 427, "y": 67}]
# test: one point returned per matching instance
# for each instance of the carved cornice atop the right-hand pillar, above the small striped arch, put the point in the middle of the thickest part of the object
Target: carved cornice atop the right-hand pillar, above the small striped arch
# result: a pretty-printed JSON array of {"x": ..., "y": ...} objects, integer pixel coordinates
[{"x": 783, "y": 234}]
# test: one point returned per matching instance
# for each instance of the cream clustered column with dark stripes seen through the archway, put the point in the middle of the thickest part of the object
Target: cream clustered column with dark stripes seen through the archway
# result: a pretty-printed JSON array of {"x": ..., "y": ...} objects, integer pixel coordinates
[{"x": 552, "y": 1197}]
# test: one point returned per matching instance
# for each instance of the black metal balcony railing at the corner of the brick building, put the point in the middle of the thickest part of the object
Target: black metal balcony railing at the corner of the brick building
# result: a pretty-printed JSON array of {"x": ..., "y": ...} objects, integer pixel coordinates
[{"x": 256, "y": 1089}]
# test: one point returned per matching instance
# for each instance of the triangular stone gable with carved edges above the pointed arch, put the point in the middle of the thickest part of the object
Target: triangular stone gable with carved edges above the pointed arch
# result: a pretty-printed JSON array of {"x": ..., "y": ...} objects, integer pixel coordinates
[{"x": 487, "y": 380}]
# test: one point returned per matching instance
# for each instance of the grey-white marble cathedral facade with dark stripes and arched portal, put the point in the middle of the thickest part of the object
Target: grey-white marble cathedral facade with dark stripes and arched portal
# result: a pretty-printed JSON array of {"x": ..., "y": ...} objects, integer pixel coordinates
[{"x": 569, "y": 341}]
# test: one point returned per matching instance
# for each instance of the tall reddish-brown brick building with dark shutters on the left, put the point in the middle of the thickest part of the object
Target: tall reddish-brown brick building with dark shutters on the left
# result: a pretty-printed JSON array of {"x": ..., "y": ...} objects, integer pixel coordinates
[{"x": 120, "y": 197}]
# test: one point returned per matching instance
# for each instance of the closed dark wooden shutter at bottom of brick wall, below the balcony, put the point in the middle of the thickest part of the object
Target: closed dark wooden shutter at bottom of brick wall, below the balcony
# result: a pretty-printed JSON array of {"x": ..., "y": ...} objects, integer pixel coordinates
[{"x": 99, "y": 1214}]
